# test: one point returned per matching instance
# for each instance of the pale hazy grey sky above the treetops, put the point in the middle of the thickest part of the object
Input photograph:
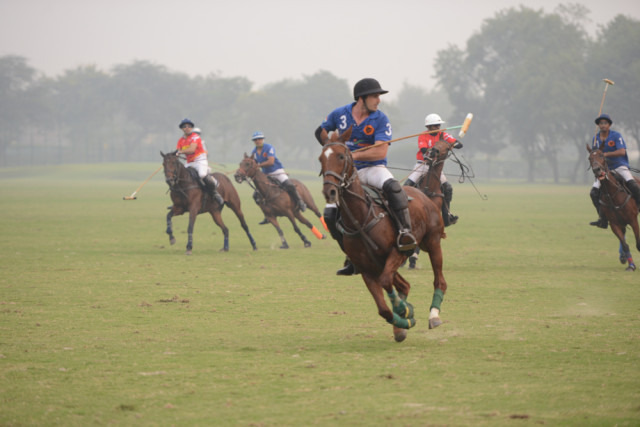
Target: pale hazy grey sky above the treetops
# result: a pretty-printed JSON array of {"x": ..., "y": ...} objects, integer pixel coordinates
[{"x": 394, "y": 41}]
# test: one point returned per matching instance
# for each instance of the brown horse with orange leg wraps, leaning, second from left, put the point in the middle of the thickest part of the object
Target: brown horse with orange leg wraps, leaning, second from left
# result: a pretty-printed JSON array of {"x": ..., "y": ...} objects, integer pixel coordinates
[{"x": 277, "y": 202}]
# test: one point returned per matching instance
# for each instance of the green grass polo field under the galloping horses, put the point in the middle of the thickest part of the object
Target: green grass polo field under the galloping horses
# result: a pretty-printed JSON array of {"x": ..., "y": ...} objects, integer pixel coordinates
[{"x": 102, "y": 322}]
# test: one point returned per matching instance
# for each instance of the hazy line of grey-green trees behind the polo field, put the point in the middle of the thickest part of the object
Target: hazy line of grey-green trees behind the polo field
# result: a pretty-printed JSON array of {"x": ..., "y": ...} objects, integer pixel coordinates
[{"x": 533, "y": 81}]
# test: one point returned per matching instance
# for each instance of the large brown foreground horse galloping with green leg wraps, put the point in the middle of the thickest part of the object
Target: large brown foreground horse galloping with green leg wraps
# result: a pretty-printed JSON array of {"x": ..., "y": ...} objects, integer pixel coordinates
[{"x": 370, "y": 237}]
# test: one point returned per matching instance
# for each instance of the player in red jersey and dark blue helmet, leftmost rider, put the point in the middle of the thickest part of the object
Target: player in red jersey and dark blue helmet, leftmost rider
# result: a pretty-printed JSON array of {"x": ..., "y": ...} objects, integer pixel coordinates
[{"x": 194, "y": 148}]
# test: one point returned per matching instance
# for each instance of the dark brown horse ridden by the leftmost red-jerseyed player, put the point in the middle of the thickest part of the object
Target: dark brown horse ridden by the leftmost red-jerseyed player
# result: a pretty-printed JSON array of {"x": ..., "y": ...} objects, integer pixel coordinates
[{"x": 188, "y": 195}]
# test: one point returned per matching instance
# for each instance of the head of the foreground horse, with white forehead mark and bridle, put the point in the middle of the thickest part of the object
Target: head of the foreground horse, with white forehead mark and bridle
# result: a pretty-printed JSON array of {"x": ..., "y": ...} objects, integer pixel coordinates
[{"x": 337, "y": 166}]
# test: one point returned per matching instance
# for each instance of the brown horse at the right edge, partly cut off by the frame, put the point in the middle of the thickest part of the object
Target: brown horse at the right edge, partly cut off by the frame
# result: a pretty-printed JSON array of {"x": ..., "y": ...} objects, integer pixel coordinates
[{"x": 617, "y": 205}]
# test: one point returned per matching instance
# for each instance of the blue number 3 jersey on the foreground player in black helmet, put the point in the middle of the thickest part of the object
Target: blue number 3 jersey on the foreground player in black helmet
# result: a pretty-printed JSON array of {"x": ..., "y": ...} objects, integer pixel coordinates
[{"x": 375, "y": 127}]
